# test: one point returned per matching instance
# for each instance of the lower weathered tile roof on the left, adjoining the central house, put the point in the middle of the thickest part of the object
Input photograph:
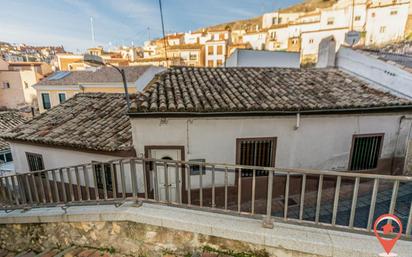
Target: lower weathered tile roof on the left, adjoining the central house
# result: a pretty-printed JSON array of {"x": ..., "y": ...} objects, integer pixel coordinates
[{"x": 92, "y": 121}]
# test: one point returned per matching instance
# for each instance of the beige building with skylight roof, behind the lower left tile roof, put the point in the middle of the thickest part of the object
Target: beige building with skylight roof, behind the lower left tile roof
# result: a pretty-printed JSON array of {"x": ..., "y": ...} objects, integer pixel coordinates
[{"x": 62, "y": 85}]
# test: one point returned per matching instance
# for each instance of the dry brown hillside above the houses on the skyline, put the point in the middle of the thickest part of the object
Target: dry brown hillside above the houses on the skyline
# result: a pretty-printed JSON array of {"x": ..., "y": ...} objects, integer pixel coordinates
[{"x": 306, "y": 6}]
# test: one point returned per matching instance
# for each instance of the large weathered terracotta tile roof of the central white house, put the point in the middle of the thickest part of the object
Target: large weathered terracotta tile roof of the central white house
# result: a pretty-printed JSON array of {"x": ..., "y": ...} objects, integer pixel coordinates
[{"x": 203, "y": 90}]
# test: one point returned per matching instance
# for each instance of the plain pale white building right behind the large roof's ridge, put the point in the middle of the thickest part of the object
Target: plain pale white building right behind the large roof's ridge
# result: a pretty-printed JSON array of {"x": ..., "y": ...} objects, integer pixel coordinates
[{"x": 255, "y": 58}]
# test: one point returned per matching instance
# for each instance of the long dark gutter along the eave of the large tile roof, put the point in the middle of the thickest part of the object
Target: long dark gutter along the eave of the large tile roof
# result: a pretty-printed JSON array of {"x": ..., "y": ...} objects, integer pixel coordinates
[{"x": 270, "y": 113}]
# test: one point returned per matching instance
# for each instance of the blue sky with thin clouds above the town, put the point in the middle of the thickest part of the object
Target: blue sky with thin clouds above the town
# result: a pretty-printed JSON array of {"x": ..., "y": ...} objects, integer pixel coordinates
[{"x": 117, "y": 22}]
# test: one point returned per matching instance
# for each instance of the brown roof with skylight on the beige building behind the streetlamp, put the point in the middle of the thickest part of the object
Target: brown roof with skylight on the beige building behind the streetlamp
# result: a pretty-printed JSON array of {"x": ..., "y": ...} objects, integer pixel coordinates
[{"x": 100, "y": 75}]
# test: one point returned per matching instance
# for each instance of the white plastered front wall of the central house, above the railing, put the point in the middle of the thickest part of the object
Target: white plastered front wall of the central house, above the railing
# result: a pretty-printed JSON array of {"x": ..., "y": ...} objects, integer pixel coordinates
[{"x": 321, "y": 142}]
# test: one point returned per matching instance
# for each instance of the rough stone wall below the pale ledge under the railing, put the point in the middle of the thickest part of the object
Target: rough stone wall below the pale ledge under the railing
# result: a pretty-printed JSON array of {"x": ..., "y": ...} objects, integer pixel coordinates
[{"x": 124, "y": 237}]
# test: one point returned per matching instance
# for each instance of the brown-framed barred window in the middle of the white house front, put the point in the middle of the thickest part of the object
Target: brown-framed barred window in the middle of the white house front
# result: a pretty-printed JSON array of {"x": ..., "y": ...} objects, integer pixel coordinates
[{"x": 256, "y": 152}]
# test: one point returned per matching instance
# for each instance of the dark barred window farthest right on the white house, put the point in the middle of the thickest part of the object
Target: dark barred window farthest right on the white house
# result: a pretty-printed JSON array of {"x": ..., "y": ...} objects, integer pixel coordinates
[{"x": 365, "y": 151}]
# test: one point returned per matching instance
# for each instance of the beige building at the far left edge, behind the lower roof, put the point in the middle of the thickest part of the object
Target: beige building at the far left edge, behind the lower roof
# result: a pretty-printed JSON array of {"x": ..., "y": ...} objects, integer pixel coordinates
[{"x": 17, "y": 80}]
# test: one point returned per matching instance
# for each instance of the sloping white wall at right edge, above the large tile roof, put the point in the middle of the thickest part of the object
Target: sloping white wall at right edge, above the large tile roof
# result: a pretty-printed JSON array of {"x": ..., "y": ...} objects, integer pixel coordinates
[{"x": 383, "y": 74}]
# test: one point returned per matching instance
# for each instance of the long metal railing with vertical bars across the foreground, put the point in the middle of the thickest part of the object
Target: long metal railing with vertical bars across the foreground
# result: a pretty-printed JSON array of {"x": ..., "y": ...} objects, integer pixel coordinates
[{"x": 338, "y": 200}]
